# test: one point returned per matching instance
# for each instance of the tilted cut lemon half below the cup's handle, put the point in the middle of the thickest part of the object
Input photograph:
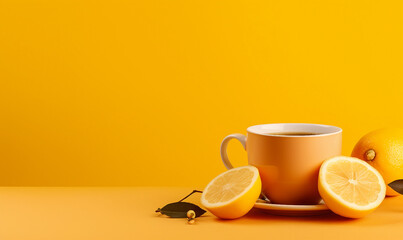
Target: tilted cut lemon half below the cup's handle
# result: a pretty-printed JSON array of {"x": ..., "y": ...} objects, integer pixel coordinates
[{"x": 233, "y": 193}]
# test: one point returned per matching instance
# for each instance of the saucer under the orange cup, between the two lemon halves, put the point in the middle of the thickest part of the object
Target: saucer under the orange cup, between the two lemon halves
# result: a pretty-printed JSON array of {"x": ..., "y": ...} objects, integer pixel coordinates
[{"x": 291, "y": 210}]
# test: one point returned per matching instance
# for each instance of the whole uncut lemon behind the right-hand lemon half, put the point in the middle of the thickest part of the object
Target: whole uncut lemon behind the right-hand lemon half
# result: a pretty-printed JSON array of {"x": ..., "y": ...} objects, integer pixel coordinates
[{"x": 383, "y": 149}]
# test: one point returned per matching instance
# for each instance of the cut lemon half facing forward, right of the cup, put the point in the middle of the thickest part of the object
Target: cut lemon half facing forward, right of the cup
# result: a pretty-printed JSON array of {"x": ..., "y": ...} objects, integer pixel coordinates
[{"x": 350, "y": 187}]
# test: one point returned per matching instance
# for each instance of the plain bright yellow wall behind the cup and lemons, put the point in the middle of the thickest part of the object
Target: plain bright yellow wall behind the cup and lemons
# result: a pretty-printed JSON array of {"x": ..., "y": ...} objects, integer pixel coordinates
[{"x": 142, "y": 92}]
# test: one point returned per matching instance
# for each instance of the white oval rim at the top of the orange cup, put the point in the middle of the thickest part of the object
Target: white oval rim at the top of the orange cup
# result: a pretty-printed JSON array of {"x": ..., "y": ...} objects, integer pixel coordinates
[{"x": 331, "y": 130}]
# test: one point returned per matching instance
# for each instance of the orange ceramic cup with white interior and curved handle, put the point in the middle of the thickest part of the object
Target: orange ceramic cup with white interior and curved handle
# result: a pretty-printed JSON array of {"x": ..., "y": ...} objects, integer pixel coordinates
[{"x": 288, "y": 164}]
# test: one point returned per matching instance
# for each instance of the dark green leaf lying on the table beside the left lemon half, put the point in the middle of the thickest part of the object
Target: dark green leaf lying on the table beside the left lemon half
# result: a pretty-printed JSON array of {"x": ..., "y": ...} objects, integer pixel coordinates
[{"x": 180, "y": 209}]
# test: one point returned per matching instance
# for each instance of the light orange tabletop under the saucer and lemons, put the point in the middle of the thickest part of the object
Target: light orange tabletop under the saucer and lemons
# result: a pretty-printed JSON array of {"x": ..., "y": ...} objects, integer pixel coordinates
[{"x": 128, "y": 213}]
